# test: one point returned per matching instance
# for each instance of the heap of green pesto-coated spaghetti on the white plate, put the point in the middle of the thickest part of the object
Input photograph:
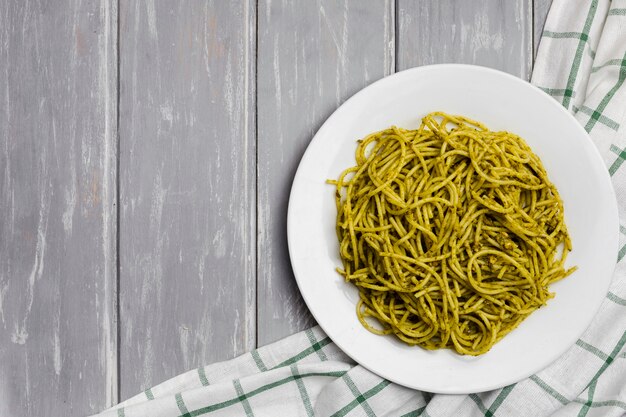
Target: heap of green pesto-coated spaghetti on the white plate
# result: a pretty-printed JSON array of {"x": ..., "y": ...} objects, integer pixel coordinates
[{"x": 452, "y": 233}]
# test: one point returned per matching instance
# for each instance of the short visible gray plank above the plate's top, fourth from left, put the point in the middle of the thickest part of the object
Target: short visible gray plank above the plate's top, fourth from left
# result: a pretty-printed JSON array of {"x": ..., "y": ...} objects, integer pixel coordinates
[{"x": 492, "y": 33}]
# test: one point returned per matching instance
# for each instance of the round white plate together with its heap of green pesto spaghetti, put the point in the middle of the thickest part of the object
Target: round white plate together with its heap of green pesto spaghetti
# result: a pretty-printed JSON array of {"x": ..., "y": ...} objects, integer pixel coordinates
[{"x": 452, "y": 228}]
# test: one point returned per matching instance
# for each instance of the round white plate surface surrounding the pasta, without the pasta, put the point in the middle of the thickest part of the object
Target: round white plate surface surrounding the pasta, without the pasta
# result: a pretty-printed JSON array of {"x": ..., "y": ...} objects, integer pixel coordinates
[{"x": 502, "y": 102}]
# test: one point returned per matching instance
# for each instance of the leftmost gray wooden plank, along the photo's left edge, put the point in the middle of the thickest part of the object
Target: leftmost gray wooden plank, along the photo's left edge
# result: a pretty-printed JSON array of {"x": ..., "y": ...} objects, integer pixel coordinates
[{"x": 57, "y": 194}]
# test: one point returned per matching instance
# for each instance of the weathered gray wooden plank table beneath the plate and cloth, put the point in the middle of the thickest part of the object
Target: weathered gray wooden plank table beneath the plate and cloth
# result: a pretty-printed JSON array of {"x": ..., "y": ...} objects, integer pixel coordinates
[{"x": 147, "y": 150}]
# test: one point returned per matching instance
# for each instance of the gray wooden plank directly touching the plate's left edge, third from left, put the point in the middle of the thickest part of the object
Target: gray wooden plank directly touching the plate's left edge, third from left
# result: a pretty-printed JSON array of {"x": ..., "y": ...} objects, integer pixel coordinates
[{"x": 312, "y": 55}]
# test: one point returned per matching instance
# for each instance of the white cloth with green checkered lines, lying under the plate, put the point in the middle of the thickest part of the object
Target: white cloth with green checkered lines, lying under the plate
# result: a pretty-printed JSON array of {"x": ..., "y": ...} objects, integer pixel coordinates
[{"x": 582, "y": 64}]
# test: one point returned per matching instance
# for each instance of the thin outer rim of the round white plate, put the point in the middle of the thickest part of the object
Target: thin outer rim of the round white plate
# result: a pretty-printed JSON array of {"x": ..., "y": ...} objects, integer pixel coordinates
[{"x": 613, "y": 240}]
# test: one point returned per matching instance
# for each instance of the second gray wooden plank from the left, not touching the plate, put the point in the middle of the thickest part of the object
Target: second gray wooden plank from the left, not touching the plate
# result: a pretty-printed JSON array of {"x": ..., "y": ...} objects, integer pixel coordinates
[{"x": 187, "y": 190}]
